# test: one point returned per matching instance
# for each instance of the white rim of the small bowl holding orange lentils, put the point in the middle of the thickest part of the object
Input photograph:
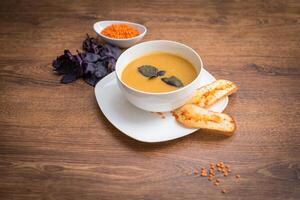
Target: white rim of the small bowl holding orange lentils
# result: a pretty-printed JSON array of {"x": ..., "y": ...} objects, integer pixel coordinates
[{"x": 121, "y": 22}]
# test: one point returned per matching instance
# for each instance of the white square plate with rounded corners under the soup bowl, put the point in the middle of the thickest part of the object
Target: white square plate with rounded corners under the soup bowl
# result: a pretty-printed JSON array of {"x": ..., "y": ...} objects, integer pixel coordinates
[{"x": 139, "y": 124}]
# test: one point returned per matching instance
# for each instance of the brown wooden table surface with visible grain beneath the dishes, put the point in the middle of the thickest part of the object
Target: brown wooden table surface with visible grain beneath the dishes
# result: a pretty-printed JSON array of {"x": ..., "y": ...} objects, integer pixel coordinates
[{"x": 56, "y": 144}]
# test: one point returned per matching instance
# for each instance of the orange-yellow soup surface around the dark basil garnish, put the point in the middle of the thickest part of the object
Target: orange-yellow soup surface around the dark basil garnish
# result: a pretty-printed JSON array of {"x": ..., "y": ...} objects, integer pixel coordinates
[{"x": 172, "y": 64}]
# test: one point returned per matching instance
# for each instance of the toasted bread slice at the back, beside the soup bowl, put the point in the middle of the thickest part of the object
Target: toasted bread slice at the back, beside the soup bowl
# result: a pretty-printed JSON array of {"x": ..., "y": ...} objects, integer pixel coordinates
[{"x": 212, "y": 93}]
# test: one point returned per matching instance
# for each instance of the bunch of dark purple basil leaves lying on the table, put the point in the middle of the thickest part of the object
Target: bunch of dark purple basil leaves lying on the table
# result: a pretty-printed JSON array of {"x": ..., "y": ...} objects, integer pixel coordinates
[{"x": 93, "y": 64}]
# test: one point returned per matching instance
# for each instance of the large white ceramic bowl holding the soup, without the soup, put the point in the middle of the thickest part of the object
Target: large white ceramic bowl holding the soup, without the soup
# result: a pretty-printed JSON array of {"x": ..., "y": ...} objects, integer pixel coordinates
[{"x": 158, "y": 102}]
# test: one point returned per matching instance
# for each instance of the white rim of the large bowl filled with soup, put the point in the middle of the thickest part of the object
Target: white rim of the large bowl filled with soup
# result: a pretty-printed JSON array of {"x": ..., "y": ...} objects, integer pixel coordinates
[{"x": 162, "y": 93}]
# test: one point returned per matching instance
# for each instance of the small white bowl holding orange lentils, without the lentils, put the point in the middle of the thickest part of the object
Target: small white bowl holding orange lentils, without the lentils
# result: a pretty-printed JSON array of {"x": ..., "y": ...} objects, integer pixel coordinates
[{"x": 123, "y": 43}]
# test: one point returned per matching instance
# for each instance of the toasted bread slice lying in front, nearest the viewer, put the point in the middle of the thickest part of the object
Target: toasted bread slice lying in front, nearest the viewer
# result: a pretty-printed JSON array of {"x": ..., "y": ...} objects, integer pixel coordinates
[{"x": 193, "y": 116}]
